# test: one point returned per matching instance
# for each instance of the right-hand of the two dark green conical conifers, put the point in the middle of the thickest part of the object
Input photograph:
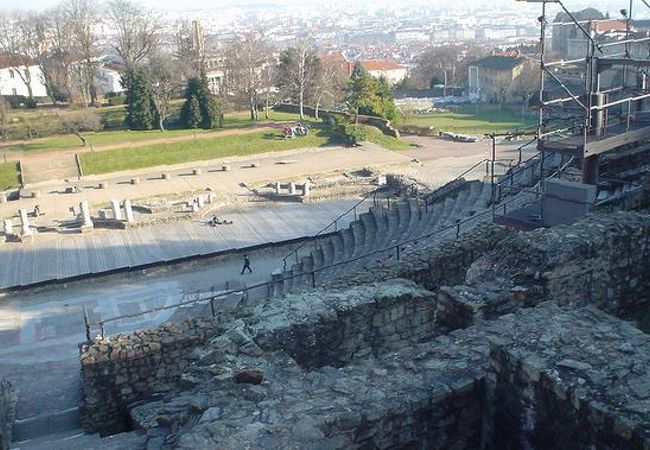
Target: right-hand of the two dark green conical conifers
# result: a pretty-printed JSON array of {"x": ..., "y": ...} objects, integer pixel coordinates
[{"x": 199, "y": 98}]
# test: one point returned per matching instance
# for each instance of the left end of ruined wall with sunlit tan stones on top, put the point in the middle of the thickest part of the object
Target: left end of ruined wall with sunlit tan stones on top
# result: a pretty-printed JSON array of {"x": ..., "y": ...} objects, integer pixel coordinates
[{"x": 126, "y": 368}]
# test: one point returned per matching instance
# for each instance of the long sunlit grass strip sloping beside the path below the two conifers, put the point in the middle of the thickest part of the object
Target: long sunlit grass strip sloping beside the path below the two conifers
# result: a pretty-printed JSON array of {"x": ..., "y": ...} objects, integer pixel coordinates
[{"x": 197, "y": 150}]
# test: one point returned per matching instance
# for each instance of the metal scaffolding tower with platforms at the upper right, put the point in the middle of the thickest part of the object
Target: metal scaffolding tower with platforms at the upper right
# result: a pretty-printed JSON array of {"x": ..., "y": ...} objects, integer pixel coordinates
[{"x": 596, "y": 103}]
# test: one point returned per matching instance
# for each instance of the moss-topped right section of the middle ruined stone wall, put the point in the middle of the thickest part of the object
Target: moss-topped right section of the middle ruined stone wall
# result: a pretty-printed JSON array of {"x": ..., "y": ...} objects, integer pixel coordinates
[{"x": 346, "y": 325}]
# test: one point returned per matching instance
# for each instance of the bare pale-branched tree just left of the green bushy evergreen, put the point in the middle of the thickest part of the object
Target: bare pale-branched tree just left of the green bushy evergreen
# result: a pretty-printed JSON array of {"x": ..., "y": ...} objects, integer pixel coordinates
[{"x": 298, "y": 71}]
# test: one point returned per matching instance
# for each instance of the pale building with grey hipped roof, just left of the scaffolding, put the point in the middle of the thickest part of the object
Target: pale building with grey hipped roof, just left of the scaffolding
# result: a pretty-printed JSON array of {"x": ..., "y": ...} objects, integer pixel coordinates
[{"x": 490, "y": 77}]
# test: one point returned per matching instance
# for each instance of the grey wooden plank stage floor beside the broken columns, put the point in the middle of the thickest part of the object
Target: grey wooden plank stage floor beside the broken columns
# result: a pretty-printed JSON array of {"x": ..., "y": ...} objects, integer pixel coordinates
[{"x": 69, "y": 255}]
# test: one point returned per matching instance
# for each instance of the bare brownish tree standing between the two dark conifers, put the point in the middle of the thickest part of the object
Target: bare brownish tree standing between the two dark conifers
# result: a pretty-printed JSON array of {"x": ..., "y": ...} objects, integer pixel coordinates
[{"x": 165, "y": 81}]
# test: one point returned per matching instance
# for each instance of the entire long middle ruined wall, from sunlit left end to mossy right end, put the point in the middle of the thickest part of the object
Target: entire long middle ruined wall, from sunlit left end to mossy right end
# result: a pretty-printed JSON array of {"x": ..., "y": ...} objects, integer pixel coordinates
[{"x": 317, "y": 329}]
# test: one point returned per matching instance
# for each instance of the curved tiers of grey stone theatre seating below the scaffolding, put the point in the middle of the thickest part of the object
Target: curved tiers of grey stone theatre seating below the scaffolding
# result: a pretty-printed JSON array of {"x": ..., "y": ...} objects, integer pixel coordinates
[{"x": 375, "y": 235}]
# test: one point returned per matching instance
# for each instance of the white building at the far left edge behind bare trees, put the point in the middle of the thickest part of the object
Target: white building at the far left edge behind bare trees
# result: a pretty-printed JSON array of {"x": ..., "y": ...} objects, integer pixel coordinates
[{"x": 11, "y": 81}]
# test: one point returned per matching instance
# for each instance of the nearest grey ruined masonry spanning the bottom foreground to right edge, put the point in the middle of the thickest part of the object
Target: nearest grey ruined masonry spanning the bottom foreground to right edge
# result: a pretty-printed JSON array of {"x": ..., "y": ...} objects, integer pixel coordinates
[{"x": 508, "y": 383}]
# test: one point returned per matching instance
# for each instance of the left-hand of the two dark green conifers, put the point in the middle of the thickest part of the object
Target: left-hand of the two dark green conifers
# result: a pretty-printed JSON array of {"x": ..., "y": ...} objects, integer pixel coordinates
[{"x": 140, "y": 109}]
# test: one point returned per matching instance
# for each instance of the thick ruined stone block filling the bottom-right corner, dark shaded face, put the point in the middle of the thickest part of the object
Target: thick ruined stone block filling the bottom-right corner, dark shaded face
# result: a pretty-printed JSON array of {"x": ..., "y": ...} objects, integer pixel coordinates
[{"x": 588, "y": 393}]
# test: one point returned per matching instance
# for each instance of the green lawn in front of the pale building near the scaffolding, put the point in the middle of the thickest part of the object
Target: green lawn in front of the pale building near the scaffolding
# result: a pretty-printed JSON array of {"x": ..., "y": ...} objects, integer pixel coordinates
[{"x": 471, "y": 119}]
